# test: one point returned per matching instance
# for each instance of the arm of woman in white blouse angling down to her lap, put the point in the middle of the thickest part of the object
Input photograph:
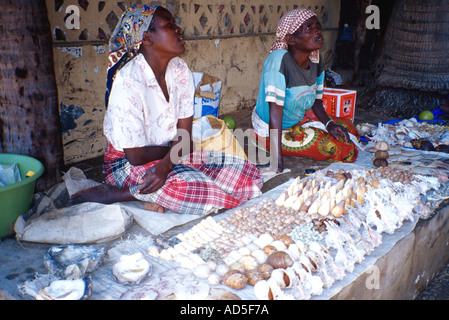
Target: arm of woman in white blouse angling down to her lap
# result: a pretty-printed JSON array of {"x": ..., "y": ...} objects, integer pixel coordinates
[{"x": 156, "y": 176}]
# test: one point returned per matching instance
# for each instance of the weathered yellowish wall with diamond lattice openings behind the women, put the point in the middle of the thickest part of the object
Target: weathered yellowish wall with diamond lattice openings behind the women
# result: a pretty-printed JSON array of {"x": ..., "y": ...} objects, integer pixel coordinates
[{"x": 228, "y": 39}]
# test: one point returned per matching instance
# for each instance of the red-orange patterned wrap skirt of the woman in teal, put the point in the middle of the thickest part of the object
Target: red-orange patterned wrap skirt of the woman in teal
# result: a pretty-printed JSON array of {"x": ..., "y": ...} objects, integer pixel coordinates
[{"x": 316, "y": 143}]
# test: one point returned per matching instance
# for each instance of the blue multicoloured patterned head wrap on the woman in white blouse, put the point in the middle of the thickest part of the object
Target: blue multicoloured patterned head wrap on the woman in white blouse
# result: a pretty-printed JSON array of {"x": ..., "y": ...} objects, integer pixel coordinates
[{"x": 126, "y": 39}]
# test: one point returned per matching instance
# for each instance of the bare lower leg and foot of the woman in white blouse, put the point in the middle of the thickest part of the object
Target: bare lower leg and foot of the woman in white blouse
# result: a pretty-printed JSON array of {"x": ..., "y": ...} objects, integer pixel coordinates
[{"x": 102, "y": 193}]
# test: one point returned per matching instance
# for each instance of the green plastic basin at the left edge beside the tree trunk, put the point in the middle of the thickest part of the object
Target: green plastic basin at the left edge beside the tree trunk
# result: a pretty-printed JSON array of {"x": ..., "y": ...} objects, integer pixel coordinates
[{"x": 16, "y": 198}]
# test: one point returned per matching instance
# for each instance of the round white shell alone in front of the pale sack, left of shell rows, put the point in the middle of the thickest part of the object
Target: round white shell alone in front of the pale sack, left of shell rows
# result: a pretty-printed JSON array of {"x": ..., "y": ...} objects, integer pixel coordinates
[{"x": 131, "y": 269}]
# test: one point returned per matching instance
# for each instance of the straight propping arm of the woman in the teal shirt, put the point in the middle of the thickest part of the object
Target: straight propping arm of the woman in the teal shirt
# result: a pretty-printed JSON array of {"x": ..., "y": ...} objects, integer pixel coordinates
[{"x": 276, "y": 114}]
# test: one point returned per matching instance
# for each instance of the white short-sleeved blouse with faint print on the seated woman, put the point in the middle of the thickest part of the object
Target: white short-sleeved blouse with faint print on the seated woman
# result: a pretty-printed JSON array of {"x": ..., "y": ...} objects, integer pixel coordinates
[{"x": 138, "y": 114}]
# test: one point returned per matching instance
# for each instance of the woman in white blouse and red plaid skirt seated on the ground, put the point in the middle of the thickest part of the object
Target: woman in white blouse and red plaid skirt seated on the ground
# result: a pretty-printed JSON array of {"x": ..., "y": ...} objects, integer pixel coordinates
[{"x": 148, "y": 125}]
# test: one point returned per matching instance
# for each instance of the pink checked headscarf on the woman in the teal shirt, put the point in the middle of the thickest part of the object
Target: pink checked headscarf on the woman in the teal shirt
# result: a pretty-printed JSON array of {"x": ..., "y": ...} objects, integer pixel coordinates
[{"x": 289, "y": 23}]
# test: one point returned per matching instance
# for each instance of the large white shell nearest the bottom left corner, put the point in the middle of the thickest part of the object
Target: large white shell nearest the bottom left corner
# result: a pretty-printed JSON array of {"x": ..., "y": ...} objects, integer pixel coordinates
[{"x": 78, "y": 289}]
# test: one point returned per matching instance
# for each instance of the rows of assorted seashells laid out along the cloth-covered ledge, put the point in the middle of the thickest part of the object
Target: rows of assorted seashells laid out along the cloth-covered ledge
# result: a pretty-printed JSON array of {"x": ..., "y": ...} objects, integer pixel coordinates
[{"x": 257, "y": 246}]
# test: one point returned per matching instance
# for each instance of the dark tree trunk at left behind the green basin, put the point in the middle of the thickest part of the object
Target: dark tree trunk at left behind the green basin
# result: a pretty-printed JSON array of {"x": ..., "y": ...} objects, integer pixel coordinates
[{"x": 29, "y": 122}]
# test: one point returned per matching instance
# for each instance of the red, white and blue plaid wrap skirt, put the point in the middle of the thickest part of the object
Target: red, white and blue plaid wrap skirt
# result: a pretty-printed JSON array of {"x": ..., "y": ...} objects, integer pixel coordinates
[{"x": 200, "y": 183}]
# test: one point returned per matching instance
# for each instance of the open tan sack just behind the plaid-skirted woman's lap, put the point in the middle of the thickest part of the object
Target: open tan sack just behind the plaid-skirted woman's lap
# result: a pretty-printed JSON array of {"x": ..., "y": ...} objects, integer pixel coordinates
[{"x": 223, "y": 141}]
